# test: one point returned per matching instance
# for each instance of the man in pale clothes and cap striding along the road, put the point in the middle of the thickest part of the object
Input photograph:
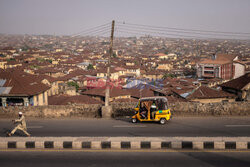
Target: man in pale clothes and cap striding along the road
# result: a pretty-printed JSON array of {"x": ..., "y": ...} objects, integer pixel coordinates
[{"x": 21, "y": 125}]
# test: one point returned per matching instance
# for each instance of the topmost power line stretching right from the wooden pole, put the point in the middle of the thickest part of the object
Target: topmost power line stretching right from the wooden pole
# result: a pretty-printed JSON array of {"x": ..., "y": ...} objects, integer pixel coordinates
[{"x": 182, "y": 29}]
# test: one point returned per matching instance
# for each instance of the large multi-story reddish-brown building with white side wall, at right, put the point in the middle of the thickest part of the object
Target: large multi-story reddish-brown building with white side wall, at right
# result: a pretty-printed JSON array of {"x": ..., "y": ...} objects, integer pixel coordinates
[{"x": 220, "y": 66}]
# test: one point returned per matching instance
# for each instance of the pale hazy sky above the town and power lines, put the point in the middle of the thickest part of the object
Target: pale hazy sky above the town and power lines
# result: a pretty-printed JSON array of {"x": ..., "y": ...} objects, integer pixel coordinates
[{"x": 71, "y": 16}]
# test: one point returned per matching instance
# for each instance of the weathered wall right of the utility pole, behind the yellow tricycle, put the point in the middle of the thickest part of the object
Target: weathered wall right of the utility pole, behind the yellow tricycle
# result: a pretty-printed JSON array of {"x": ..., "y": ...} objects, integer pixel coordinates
[{"x": 192, "y": 109}]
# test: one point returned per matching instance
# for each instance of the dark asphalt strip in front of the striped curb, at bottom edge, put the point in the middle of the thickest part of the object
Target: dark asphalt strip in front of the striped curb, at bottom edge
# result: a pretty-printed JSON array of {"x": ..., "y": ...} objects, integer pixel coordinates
[{"x": 110, "y": 159}]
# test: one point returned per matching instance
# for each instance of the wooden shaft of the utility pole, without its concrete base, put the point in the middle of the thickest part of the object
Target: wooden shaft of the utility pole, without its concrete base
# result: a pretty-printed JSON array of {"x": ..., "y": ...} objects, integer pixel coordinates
[{"x": 107, "y": 92}]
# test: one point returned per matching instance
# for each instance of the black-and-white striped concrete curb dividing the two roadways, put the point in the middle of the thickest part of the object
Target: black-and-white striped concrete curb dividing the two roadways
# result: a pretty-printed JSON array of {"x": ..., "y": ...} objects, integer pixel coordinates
[{"x": 133, "y": 143}]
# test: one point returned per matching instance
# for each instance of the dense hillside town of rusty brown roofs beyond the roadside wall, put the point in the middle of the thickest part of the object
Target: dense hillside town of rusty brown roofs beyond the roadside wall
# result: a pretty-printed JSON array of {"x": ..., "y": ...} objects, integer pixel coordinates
[{"x": 72, "y": 69}]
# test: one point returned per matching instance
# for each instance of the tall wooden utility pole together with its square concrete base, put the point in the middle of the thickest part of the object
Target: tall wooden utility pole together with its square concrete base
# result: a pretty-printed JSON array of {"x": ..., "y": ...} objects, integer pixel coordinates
[{"x": 107, "y": 110}]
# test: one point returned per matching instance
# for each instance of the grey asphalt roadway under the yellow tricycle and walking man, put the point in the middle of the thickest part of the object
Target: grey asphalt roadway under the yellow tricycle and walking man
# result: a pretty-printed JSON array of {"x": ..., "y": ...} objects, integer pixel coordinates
[{"x": 179, "y": 126}]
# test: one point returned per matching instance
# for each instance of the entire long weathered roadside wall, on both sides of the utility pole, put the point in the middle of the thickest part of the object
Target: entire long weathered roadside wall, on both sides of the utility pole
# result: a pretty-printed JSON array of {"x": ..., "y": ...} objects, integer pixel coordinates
[{"x": 127, "y": 109}]
